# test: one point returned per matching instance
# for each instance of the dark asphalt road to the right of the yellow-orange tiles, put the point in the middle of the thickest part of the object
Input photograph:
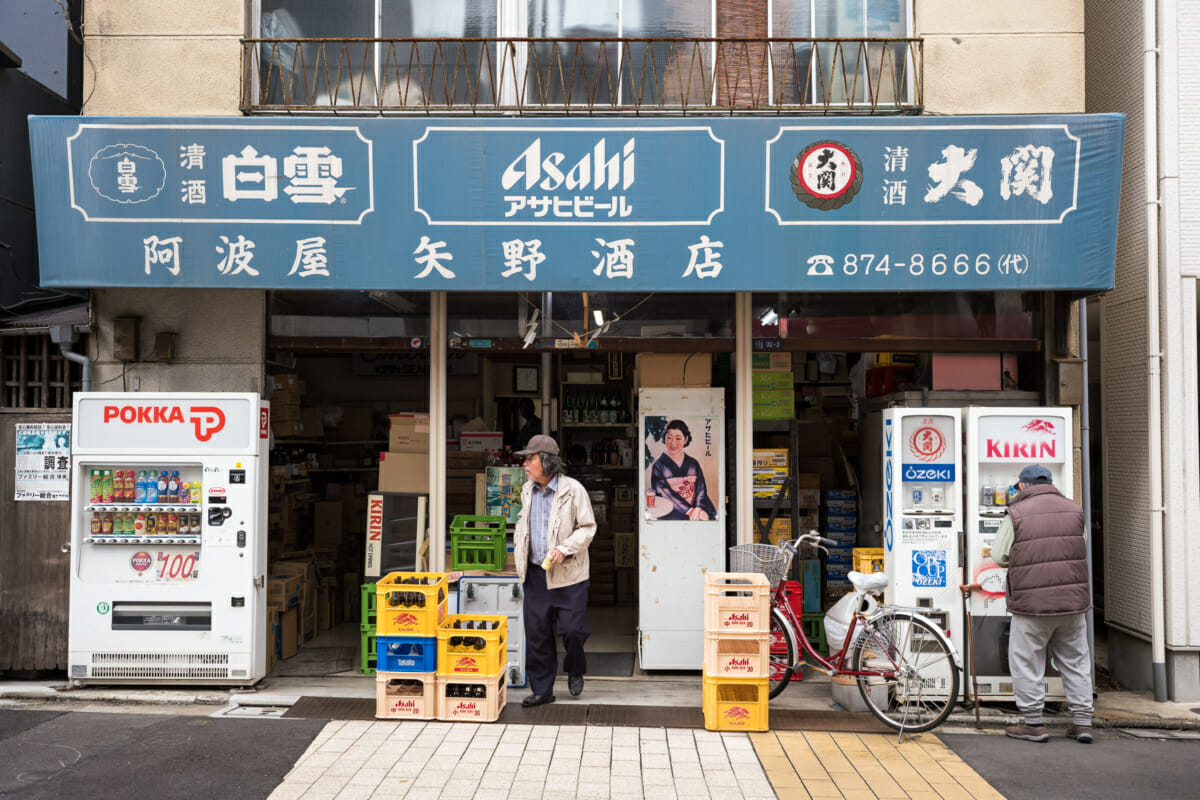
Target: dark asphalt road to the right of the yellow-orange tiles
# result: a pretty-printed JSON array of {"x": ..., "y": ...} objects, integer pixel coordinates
[{"x": 1115, "y": 766}]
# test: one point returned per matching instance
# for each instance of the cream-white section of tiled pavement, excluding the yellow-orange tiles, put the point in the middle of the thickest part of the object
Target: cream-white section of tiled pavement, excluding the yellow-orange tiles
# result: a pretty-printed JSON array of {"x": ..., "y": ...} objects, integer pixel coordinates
[{"x": 425, "y": 761}]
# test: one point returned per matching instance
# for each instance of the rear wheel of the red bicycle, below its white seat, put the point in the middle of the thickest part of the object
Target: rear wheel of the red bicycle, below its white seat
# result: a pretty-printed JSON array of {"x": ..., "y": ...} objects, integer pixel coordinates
[{"x": 921, "y": 681}]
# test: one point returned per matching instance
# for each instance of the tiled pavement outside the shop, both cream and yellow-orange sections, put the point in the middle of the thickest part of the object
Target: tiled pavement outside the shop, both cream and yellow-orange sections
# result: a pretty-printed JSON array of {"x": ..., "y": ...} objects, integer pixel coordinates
[{"x": 425, "y": 761}]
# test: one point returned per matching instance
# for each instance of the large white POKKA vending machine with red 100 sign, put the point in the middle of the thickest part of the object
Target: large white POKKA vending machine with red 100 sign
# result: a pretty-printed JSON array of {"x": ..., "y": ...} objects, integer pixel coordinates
[{"x": 169, "y": 539}]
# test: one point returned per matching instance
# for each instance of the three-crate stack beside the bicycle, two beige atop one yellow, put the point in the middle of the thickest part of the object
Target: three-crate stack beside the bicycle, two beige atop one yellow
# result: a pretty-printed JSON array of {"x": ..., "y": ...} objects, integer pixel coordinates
[{"x": 737, "y": 651}]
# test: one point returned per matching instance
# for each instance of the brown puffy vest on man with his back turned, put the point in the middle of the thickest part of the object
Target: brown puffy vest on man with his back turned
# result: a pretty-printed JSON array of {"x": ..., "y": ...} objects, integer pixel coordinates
[{"x": 1048, "y": 563}]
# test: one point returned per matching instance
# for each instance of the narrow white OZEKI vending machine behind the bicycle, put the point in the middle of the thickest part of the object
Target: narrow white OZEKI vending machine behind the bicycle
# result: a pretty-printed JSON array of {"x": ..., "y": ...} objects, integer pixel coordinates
[{"x": 923, "y": 513}]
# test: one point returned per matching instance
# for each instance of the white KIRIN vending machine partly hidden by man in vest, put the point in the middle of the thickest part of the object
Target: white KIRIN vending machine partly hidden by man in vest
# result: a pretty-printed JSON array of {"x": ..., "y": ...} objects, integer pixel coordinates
[{"x": 1000, "y": 443}]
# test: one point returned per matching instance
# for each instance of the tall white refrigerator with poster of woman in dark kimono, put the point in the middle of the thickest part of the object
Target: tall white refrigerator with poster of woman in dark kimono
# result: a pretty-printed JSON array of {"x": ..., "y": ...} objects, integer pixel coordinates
[{"x": 681, "y": 520}]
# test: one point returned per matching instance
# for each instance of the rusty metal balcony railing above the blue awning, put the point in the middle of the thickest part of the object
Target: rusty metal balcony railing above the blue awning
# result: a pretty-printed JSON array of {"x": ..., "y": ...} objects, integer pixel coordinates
[{"x": 581, "y": 76}]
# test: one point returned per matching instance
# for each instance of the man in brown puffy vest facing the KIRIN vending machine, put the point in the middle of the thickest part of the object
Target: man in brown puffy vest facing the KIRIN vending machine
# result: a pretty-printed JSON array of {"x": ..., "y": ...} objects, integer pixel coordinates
[{"x": 1043, "y": 544}]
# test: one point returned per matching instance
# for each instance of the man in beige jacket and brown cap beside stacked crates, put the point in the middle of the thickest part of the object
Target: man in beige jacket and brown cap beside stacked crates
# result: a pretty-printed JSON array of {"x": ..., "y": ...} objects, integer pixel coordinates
[{"x": 554, "y": 532}]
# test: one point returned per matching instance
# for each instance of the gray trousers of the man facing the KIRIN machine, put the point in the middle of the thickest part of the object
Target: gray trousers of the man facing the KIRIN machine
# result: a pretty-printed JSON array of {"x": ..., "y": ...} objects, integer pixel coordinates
[{"x": 1065, "y": 636}]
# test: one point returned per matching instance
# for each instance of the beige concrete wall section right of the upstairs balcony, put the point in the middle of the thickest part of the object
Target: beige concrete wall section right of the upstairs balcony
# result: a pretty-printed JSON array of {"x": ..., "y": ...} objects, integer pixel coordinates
[{"x": 1018, "y": 57}]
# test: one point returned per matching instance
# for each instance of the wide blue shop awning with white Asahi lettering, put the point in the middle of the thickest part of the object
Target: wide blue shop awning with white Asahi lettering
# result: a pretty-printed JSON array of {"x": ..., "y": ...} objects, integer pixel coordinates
[{"x": 688, "y": 204}]
